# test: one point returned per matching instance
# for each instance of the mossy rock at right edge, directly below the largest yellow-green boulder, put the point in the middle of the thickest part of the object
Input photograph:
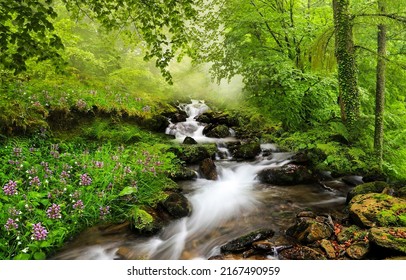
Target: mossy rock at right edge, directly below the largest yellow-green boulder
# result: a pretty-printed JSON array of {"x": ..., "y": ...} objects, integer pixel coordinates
[{"x": 393, "y": 238}]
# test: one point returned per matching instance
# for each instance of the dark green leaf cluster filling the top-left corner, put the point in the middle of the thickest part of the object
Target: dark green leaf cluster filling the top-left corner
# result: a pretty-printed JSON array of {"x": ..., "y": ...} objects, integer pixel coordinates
[{"x": 27, "y": 32}]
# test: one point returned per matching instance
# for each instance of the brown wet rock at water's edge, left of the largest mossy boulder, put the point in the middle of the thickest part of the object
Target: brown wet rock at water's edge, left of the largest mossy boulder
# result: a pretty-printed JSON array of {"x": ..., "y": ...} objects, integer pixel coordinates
[{"x": 308, "y": 229}]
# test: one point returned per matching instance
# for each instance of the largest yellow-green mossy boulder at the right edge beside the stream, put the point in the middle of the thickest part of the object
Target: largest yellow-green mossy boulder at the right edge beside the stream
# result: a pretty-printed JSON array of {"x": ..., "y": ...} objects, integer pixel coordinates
[{"x": 371, "y": 210}]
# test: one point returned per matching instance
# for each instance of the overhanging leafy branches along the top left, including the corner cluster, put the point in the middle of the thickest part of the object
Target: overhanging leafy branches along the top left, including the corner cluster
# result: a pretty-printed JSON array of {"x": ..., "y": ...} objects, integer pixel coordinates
[{"x": 26, "y": 28}]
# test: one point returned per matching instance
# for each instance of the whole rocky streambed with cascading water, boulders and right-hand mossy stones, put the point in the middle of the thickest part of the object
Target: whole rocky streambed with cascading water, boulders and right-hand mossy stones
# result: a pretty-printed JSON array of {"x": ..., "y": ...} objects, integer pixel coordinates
[{"x": 243, "y": 199}]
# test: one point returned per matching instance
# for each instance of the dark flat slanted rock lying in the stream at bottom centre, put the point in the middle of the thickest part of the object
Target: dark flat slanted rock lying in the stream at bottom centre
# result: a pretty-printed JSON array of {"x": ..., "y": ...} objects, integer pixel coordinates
[{"x": 245, "y": 242}]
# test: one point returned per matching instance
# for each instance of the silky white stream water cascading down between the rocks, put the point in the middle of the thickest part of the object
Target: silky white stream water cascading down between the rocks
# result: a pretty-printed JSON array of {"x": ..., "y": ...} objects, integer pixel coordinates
[{"x": 231, "y": 206}]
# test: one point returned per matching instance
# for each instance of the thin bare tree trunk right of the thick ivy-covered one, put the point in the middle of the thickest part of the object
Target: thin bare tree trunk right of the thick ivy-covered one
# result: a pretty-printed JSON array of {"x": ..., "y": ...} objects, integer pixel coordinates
[{"x": 380, "y": 87}]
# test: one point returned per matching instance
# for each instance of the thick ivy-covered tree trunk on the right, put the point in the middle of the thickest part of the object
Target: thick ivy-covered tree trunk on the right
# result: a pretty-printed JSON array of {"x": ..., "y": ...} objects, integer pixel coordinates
[{"x": 347, "y": 69}]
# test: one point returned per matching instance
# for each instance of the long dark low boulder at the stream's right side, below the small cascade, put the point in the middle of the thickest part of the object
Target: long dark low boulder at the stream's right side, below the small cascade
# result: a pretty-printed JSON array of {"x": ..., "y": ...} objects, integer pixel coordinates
[{"x": 287, "y": 175}]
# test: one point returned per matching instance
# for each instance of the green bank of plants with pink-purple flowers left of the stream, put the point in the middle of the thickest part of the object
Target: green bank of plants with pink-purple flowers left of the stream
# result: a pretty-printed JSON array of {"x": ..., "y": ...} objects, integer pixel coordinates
[{"x": 87, "y": 182}]
